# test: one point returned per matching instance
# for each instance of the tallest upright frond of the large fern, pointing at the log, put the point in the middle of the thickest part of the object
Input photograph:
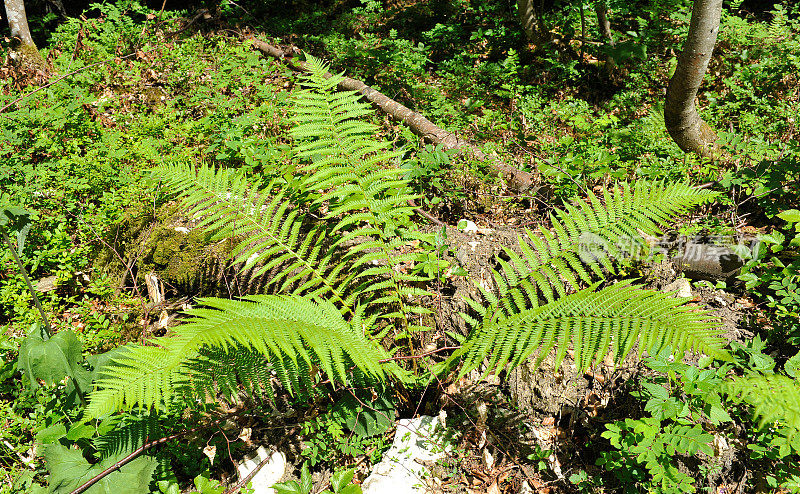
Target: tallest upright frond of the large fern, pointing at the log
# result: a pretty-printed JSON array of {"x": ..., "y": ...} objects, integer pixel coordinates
[{"x": 358, "y": 178}]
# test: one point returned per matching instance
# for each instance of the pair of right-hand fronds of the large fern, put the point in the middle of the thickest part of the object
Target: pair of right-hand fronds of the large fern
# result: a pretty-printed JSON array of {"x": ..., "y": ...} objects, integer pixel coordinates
[{"x": 533, "y": 312}]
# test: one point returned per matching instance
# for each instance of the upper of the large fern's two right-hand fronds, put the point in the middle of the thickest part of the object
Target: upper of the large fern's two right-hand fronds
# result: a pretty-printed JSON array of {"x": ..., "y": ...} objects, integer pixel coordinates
[{"x": 587, "y": 237}]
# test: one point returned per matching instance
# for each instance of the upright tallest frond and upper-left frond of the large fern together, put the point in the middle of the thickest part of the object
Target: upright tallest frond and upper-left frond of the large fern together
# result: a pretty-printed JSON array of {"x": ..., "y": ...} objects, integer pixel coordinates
[{"x": 352, "y": 256}]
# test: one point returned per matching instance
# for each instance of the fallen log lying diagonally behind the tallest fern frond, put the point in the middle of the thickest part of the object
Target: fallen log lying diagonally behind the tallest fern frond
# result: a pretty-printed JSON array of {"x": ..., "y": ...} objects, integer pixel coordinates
[{"x": 517, "y": 180}]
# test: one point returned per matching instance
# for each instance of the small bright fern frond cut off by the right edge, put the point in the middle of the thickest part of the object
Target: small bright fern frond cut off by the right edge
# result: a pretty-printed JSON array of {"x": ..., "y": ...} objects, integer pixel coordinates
[{"x": 774, "y": 398}]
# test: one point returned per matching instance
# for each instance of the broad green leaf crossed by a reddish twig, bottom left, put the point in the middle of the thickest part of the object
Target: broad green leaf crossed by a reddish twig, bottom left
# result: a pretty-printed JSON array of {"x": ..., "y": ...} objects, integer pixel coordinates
[{"x": 69, "y": 470}]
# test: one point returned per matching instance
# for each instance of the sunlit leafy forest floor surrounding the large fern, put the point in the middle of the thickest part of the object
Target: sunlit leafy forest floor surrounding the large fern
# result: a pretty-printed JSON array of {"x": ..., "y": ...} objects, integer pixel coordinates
[{"x": 117, "y": 259}]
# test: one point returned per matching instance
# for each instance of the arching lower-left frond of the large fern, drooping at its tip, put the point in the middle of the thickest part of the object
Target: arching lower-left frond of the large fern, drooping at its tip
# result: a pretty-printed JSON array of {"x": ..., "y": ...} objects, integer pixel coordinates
[{"x": 294, "y": 335}]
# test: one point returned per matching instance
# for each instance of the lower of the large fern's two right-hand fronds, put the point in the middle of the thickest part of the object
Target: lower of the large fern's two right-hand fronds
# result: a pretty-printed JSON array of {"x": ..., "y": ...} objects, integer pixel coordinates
[{"x": 594, "y": 322}]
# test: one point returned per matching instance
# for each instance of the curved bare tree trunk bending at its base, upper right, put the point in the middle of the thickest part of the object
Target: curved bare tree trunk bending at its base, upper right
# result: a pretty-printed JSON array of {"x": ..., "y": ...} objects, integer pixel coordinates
[{"x": 683, "y": 122}]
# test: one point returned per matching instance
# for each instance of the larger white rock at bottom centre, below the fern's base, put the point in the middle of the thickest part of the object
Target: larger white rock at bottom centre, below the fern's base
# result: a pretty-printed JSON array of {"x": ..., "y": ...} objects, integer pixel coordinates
[{"x": 400, "y": 472}]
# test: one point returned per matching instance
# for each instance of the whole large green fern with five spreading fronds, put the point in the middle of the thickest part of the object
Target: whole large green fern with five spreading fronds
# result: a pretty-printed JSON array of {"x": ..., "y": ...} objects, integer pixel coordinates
[{"x": 332, "y": 247}]
